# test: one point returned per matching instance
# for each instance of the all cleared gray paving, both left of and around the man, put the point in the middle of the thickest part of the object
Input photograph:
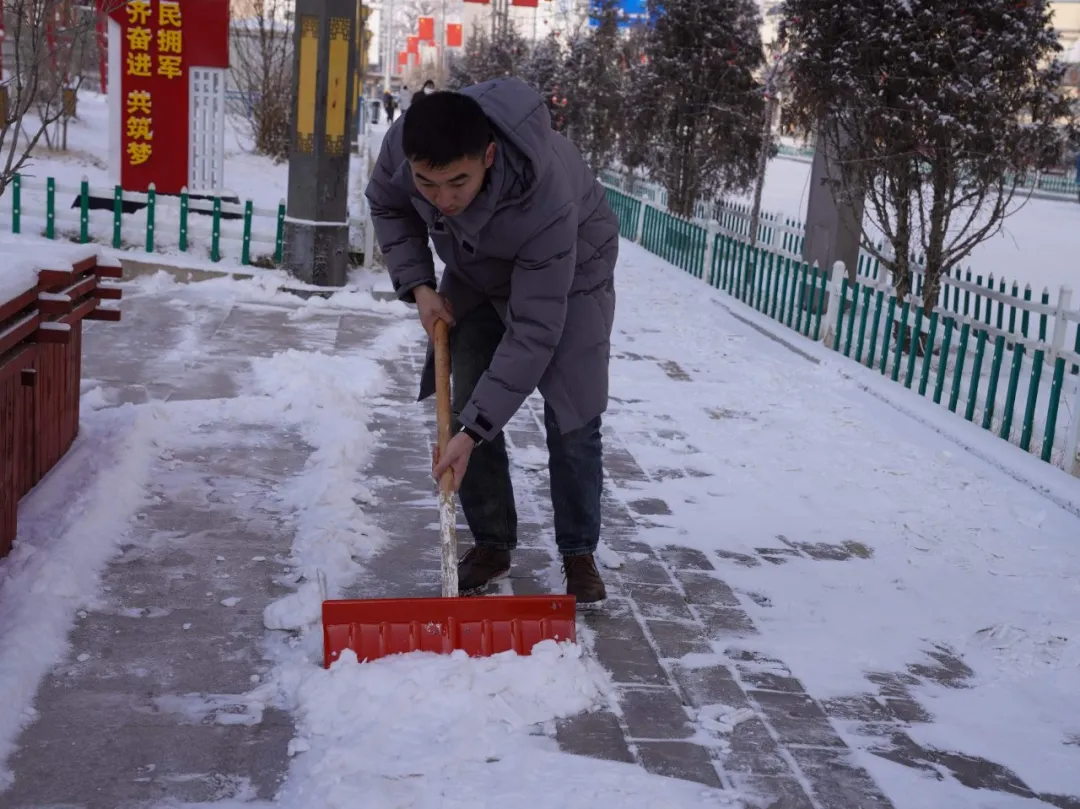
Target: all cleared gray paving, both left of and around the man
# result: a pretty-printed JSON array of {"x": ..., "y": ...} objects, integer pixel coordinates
[{"x": 161, "y": 631}]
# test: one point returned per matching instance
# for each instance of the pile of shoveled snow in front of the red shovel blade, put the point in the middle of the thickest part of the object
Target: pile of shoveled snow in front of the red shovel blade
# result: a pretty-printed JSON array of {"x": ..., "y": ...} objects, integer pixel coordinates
[{"x": 427, "y": 732}]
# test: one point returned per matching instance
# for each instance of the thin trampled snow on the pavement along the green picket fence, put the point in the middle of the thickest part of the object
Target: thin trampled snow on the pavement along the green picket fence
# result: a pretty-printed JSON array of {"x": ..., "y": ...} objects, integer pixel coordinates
[{"x": 946, "y": 549}]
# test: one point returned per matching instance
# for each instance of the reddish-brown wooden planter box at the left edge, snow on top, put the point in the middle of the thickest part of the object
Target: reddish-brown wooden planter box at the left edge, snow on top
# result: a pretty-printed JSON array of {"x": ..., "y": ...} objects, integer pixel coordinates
[{"x": 40, "y": 373}]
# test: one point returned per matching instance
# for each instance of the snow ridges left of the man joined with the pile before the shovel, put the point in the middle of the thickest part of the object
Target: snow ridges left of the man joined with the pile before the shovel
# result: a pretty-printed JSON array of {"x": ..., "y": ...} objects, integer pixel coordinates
[{"x": 397, "y": 734}]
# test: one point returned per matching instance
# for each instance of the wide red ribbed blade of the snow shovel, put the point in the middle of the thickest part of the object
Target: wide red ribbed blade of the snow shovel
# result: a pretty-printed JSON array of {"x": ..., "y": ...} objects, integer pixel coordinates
[{"x": 481, "y": 627}]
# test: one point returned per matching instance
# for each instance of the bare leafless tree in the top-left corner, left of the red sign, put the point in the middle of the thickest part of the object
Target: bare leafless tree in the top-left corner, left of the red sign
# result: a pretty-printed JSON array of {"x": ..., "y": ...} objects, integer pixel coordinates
[{"x": 51, "y": 45}]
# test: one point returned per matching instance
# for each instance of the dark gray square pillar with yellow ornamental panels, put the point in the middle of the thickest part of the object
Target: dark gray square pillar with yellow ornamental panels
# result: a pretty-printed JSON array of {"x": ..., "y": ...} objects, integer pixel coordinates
[{"x": 317, "y": 210}]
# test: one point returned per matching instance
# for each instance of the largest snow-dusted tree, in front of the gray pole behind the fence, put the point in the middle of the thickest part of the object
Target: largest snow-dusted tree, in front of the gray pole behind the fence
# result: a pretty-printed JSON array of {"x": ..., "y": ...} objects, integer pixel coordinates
[{"x": 929, "y": 109}]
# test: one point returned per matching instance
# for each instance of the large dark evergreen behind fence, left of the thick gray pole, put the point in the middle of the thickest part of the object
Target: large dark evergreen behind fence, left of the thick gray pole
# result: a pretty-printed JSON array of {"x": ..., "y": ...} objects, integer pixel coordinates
[{"x": 705, "y": 105}]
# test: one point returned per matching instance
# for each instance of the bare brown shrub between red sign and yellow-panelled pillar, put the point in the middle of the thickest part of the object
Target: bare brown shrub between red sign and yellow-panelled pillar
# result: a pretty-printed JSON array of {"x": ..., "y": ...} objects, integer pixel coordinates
[{"x": 263, "y": 73}]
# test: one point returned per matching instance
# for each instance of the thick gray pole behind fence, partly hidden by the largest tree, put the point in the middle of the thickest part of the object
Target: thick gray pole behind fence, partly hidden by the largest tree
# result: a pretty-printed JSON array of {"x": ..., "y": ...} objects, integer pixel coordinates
[{"x": 833, "y": 230}]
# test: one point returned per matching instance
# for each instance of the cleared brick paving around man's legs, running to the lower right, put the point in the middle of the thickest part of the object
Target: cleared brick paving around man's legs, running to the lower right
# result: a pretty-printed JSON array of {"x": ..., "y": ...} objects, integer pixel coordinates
[{"x": 668, "y": 603}]
